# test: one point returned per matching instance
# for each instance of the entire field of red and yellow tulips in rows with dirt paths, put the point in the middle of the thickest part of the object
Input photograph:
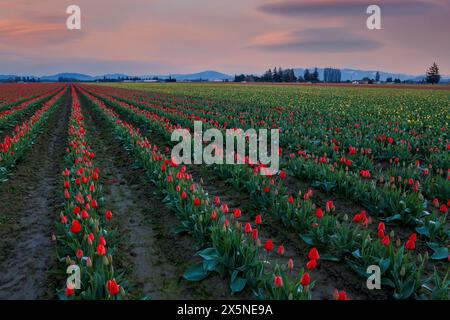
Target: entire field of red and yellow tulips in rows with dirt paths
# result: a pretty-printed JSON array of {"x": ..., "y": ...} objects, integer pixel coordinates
[{"x": 89, "y": 191}]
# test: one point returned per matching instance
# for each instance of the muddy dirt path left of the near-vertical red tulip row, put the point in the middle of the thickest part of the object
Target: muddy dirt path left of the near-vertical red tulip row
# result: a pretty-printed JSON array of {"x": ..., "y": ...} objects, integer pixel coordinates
[{"x": 30, "y": 202}]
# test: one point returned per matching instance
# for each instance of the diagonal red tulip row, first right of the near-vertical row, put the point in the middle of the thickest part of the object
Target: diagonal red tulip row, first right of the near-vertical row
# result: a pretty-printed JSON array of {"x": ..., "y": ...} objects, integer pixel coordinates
[{"x": 234, "y": 247}]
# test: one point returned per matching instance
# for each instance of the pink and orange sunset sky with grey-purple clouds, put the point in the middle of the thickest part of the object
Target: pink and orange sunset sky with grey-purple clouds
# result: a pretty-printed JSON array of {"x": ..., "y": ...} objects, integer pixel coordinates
[{"x": 179, "y": 36}]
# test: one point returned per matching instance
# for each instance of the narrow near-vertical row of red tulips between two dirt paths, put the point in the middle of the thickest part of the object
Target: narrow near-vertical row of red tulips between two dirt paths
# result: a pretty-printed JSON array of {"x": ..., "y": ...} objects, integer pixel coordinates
[{"x": 85, "y": 238}]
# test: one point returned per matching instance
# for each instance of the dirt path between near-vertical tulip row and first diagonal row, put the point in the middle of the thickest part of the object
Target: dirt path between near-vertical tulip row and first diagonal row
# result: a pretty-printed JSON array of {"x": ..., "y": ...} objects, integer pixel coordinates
[{"x": 152, "y": 256}]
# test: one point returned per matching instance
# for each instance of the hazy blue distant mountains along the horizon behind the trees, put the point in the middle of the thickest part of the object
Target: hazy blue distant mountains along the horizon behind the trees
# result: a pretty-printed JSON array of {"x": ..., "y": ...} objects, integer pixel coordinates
[{"x": 209, "y": 75}]
